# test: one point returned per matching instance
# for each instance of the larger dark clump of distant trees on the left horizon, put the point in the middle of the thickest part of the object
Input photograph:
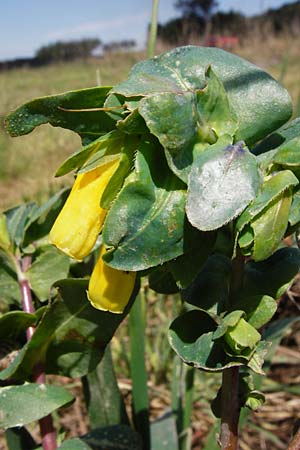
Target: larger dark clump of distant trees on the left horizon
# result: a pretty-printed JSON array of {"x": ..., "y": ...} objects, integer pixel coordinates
[{"x": 67, "y": 51}]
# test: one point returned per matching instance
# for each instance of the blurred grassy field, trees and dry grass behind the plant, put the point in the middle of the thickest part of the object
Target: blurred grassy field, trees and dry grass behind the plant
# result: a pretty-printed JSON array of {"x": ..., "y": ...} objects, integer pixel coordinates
[{"x": 27, "y": 167}]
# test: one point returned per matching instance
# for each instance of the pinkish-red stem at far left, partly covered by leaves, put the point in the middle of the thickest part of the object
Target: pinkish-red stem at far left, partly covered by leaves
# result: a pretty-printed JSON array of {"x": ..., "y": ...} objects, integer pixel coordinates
[{"x": 46, "y": 424}]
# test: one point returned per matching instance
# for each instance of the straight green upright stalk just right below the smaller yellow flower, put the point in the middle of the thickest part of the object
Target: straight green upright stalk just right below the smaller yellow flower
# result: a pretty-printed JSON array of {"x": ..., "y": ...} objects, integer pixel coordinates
[{"x": 138, "y": 370}]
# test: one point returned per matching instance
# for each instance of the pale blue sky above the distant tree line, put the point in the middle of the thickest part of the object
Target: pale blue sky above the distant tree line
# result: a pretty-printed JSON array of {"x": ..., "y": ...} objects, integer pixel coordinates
[{"x": 26, "y": 25}]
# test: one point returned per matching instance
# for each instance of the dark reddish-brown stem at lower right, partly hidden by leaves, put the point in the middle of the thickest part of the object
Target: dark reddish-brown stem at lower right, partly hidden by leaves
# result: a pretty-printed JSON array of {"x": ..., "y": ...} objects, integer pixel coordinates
[{"x": 230, "y": 408}]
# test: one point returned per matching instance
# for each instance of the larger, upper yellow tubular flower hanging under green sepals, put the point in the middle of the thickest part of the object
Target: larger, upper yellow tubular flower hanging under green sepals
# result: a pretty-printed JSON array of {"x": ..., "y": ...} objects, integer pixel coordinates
[{"x": 79, "y": 223}]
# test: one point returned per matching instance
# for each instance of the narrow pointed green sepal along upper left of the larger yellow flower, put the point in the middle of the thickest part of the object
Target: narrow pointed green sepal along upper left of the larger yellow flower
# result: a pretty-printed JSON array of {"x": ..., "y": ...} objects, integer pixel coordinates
[{"x": 77, "y": 159}]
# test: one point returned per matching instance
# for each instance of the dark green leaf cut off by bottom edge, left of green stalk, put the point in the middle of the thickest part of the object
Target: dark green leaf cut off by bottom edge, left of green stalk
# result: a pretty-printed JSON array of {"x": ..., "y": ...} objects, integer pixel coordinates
[{"x": 114, "y": 437}]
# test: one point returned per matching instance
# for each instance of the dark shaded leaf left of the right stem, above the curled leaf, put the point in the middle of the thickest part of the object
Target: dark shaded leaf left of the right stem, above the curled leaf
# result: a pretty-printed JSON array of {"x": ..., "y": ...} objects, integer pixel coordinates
[{"x": 210, "y": 288}]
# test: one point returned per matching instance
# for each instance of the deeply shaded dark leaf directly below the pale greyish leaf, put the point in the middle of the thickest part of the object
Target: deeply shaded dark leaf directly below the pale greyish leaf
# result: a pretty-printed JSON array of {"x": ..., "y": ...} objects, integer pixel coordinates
[{"x": 197, "y": 248}]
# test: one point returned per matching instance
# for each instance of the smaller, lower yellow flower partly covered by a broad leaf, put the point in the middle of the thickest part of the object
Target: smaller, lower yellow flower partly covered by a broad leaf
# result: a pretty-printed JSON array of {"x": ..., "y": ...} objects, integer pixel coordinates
[{"x": 110, "y": 289}]
